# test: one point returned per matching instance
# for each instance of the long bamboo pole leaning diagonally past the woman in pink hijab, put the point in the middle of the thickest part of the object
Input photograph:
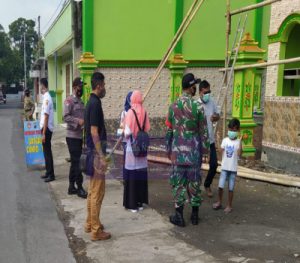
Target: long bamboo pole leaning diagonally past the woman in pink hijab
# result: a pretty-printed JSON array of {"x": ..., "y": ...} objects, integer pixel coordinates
[{"x": 183, "y": 27}]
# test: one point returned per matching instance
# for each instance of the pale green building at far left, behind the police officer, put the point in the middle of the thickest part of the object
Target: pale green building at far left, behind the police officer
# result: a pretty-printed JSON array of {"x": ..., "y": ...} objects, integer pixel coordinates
[{"x": 62, "y": 50}]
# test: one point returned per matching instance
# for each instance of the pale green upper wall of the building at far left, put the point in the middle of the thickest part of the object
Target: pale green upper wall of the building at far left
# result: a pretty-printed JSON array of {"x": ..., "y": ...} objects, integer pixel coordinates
[{"x": 60, "y": 32}]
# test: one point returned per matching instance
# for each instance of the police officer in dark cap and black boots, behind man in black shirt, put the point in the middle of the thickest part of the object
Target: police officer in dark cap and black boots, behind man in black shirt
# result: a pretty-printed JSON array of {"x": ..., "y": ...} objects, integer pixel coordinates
[{"x": 74, "y": 117}]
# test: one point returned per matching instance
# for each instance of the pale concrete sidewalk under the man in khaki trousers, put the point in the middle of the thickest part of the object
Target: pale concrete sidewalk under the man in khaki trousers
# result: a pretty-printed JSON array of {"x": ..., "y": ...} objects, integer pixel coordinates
[{"x": 136, "y": 237}]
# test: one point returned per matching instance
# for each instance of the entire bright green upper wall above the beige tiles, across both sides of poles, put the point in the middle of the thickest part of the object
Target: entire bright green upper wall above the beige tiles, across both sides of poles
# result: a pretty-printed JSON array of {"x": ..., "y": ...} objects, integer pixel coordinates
[{"x": 141, "y": 30}]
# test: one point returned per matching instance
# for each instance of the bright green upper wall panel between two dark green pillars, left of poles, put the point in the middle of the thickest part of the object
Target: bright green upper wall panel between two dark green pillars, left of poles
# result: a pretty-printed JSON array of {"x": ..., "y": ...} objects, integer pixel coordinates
[{"x": 132, "y": 29}]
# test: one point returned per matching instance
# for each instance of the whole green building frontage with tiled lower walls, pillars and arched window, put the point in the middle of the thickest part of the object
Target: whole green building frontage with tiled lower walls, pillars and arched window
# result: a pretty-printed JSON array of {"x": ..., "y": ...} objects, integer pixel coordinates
[{"x": 126, "y": 39}]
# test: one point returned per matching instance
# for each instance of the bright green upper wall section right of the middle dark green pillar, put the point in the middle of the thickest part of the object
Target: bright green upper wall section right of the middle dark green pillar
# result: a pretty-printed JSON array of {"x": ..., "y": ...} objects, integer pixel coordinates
[{"x": 206, "y": 37}]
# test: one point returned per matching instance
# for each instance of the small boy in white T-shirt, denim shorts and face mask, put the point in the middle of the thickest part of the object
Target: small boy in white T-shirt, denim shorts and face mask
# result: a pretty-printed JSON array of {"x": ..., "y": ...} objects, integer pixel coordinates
[{"x": 231, "y": 150}]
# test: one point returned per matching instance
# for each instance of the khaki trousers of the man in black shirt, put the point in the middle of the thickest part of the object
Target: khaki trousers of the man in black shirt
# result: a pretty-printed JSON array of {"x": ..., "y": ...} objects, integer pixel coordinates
[{"x": 95, "y": 197}]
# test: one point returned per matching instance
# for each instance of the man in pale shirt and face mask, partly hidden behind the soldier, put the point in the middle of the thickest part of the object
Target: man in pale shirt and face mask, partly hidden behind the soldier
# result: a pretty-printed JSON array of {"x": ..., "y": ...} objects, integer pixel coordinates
[{"x": 212, "y": 115}]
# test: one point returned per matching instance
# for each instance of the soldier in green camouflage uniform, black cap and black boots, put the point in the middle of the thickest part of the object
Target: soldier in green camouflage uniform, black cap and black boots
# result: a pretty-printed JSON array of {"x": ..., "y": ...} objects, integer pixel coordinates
[{"x": 187, "y": 140}]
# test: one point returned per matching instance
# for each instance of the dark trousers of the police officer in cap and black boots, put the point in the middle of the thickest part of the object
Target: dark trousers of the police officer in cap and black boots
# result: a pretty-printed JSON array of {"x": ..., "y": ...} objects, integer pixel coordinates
[{"x": 75, "y": 149}]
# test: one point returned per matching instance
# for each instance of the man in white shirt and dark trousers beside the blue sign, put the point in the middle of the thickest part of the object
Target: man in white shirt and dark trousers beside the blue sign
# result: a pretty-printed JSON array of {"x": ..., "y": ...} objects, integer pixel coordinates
[{"x": 47, "y": 125}]
